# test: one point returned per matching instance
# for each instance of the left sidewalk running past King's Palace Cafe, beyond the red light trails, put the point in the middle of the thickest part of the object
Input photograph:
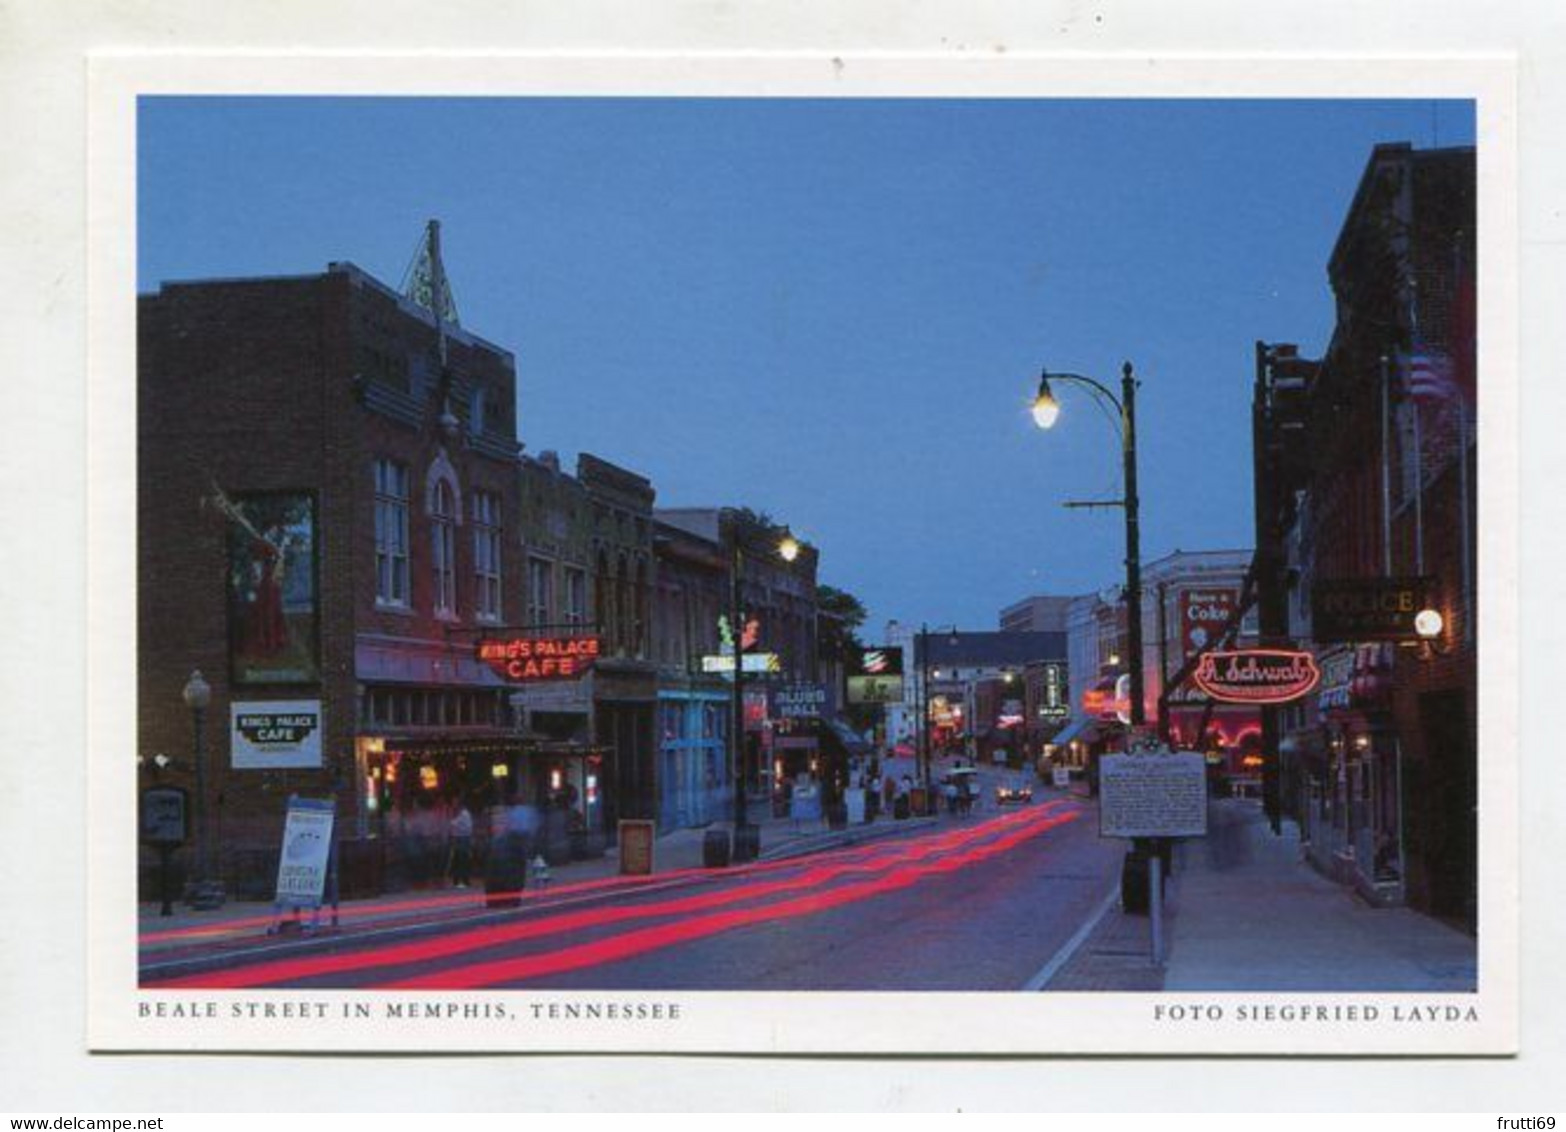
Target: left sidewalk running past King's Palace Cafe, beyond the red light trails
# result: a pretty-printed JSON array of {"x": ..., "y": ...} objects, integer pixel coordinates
[{"x": 676, "y": 853}]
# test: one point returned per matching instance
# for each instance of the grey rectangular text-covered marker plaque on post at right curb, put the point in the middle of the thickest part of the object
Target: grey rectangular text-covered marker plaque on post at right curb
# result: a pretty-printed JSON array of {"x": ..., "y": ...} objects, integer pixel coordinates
[{"x": 1153, "y": 796}]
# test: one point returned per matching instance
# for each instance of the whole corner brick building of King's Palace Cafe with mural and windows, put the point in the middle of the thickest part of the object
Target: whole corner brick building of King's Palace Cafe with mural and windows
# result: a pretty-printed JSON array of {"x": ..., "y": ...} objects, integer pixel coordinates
[{"x": 328, "y": 480}]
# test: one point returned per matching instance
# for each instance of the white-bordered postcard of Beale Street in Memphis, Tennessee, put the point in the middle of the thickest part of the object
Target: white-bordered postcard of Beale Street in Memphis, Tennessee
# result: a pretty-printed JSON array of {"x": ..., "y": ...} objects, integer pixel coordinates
[{"x": 850, "y": 555}]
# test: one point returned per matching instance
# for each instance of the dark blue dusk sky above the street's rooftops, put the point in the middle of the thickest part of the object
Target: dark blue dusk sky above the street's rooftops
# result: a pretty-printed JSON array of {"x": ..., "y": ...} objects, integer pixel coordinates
[{"x": 832, "y": 311}]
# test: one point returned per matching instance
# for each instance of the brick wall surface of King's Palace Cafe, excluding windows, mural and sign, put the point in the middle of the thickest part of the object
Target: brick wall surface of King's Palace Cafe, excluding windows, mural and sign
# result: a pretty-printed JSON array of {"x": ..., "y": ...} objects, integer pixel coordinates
[{"x": 301, "y": 384}]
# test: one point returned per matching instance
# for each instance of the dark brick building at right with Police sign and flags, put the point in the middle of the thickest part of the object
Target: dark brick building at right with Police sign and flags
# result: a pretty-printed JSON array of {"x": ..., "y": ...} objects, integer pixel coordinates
[{"x": 1368, "y": 474}]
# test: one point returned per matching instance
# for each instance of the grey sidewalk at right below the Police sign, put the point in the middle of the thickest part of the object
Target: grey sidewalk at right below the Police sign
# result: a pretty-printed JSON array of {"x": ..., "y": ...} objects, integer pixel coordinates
[{"x": 1247, "y": 914}]
